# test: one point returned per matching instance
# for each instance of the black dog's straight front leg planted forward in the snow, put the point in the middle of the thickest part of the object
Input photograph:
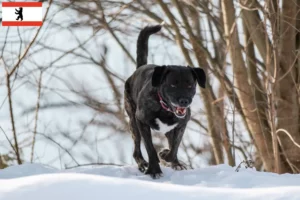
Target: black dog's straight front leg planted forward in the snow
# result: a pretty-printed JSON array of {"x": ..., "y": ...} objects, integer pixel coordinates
[{"x": 153, "y": 167}]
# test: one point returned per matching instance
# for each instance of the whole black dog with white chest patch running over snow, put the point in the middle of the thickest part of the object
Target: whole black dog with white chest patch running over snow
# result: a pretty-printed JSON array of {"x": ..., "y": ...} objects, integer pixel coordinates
[{"x": 159, "y": 97}]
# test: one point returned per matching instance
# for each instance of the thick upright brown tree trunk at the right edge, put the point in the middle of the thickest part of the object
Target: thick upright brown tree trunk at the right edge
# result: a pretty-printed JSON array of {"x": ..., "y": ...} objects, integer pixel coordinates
[{"x": 288, "y": 105}]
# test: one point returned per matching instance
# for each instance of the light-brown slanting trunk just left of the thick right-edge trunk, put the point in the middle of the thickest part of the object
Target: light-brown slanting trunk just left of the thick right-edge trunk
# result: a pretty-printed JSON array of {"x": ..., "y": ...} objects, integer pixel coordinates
[{"x": 261, "y": 137}]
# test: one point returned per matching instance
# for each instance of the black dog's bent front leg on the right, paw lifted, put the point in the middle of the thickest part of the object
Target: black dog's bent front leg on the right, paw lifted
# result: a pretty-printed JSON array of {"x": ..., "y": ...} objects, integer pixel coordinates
[{"x": 170, "y": 155}]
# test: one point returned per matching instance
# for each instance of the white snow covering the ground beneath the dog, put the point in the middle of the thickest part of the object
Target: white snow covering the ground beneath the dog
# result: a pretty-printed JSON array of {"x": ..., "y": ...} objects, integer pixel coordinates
[{"x": 36, "y": 182}]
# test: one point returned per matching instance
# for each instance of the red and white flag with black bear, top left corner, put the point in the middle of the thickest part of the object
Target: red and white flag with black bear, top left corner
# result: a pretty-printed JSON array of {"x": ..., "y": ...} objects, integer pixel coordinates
[{"x": 22, "y": 14}]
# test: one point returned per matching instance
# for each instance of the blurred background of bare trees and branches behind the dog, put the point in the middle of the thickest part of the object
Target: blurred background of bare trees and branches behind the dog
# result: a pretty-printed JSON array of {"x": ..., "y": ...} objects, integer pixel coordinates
[{"x": 61, "y": 85}]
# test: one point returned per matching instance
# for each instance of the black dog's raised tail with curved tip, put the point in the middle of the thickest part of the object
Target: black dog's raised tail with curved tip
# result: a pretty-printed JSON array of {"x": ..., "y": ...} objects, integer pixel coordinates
[{"x": 142, "y": 43}]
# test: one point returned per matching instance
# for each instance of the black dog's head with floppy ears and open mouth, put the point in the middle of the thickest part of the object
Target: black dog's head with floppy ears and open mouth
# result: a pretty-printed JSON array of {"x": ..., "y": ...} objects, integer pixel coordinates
[{"x": 177, "y": 85}]
